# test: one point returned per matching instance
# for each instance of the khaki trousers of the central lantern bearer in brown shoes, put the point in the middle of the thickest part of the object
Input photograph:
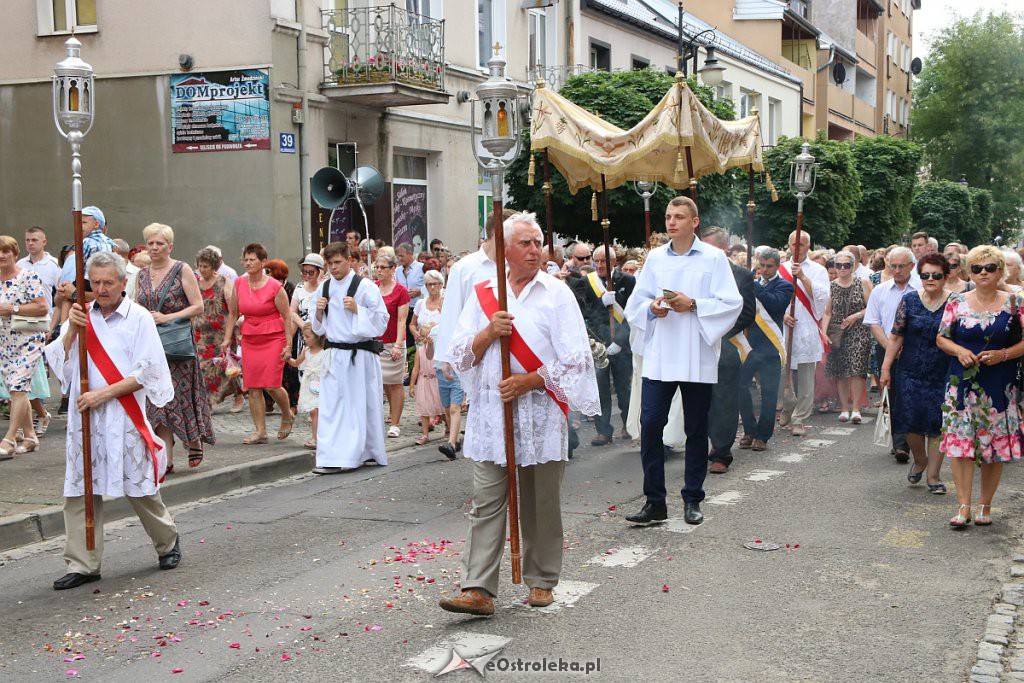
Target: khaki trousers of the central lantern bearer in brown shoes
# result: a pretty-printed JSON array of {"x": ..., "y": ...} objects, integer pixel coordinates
[{"x": 540, "y": 522}]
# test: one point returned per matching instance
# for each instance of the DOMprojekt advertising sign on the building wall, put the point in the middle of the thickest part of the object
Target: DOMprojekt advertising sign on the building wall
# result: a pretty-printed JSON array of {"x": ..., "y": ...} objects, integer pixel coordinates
[{"x": 221, "y": 111}]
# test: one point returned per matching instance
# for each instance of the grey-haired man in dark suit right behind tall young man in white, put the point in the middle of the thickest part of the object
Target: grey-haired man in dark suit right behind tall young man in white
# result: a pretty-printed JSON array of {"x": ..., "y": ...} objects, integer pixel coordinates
[{"x": 724, "y": 417}]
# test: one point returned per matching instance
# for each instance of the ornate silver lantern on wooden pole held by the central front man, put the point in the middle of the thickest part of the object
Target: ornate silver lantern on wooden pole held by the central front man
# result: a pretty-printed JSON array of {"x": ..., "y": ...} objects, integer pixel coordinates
[{"x": 495, "y": 147}]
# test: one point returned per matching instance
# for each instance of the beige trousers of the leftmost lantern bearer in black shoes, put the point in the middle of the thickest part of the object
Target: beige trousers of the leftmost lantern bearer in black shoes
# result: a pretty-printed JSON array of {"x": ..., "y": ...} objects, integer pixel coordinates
[{"x": 151, "y": 510}]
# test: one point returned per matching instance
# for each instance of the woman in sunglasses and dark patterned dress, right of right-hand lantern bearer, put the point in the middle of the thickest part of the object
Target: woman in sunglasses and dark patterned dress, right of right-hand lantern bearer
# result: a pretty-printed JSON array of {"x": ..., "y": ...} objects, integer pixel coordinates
[{"x": 847, "y": 362}]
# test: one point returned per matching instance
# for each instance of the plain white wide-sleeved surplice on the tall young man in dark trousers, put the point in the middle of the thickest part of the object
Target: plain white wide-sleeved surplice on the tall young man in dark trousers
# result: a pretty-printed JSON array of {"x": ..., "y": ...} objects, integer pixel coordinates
[{"x": 685, "y": 348}]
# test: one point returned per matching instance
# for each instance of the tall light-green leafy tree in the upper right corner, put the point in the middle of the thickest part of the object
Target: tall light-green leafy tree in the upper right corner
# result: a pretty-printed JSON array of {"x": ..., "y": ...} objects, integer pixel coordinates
[{"x": 967, "y": 110}]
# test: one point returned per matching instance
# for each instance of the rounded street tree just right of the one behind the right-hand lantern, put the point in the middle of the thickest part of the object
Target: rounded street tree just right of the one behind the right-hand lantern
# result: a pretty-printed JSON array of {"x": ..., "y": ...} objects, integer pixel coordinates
[{"x": 888, "y": 169}]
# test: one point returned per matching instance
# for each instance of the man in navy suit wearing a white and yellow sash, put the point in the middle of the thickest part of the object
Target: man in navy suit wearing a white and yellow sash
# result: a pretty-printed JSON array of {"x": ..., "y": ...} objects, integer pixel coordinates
[{"x": 767, "y": 352}]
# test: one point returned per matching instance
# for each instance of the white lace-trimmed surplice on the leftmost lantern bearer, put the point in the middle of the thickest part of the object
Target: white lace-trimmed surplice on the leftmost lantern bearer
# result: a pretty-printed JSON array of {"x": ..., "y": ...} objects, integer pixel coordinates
[{"x": 121, "y": 463}]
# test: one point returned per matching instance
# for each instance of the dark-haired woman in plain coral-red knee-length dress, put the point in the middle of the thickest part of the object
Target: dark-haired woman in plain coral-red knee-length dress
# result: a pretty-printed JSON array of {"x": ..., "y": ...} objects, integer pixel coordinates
[{"x": 266, "y": 329}]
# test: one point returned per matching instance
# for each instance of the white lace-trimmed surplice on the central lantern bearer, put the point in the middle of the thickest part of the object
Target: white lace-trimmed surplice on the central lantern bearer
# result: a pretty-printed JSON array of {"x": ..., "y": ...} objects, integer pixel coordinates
[{"x": 548, "y": 308}]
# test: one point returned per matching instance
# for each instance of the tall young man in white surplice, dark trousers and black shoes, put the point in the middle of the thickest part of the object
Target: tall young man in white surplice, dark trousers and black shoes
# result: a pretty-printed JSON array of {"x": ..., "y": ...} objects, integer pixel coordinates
[{"x": 686, "y": 300}]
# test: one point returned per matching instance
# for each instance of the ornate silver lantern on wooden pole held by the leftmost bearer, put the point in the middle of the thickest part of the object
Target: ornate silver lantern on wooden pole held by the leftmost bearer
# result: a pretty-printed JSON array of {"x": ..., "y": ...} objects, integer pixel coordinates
[{"x": 74, "y": 102}]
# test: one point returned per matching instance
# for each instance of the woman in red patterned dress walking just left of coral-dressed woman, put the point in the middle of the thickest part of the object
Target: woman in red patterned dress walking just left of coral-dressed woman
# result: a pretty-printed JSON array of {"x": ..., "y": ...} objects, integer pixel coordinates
[{"x": 217, "y": 292}]
